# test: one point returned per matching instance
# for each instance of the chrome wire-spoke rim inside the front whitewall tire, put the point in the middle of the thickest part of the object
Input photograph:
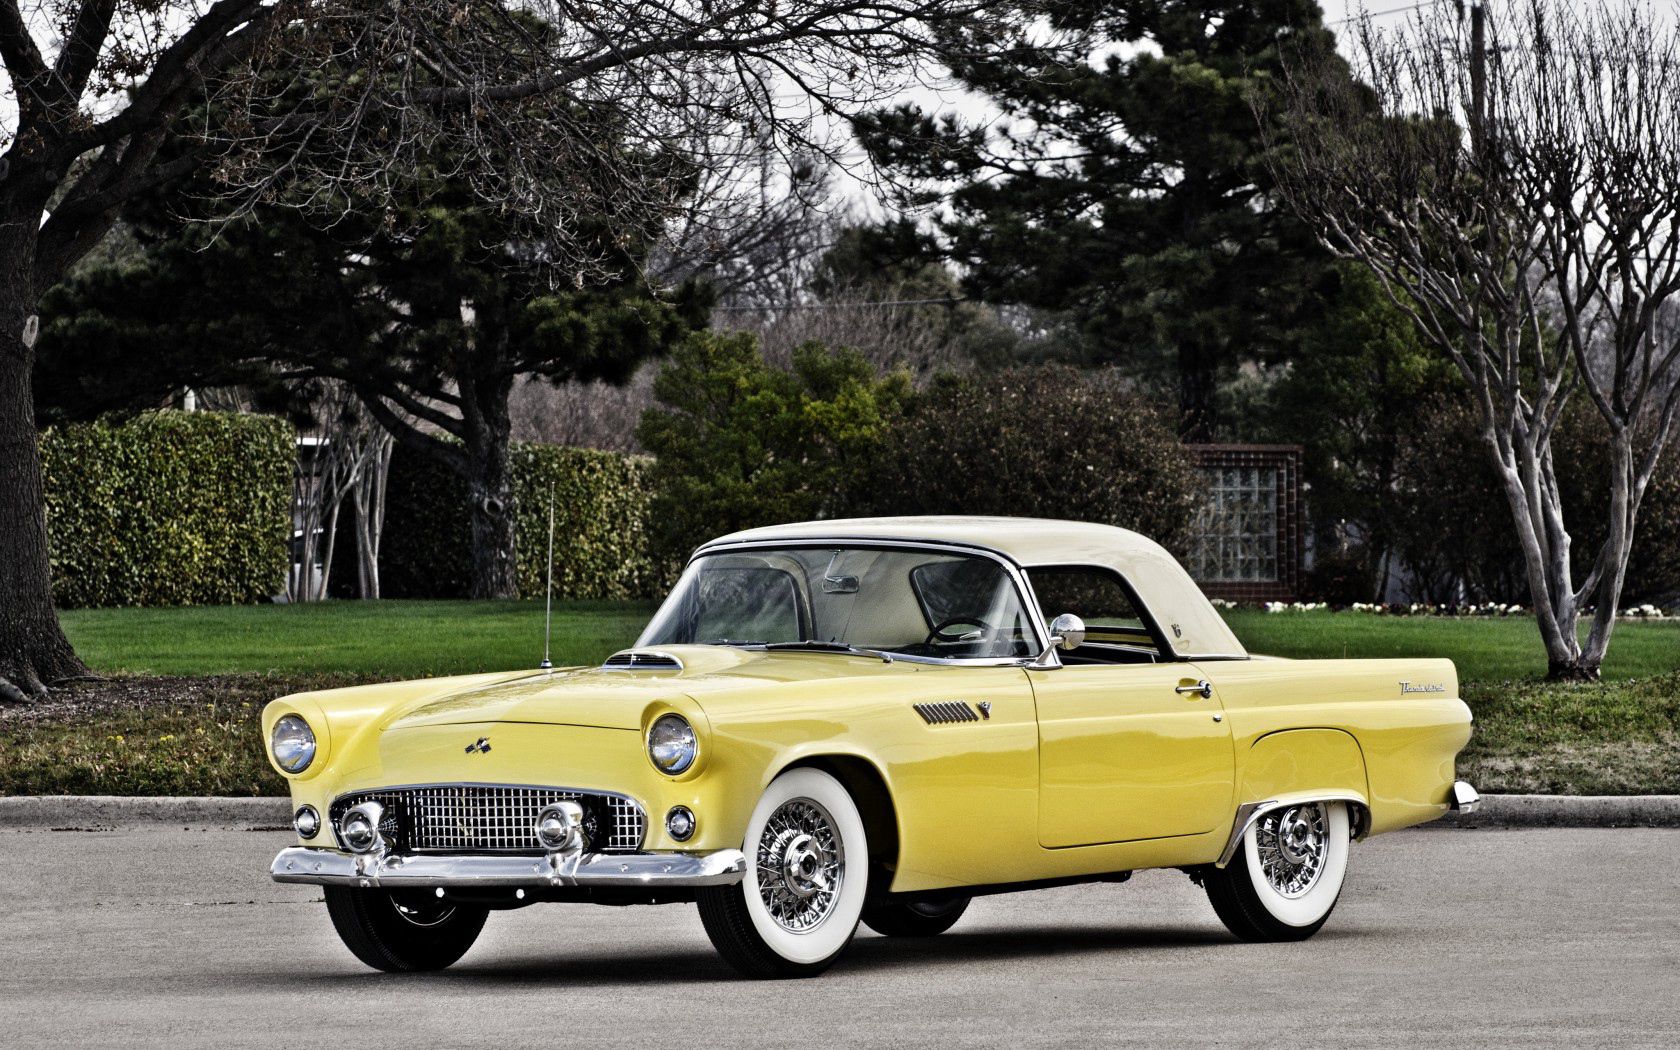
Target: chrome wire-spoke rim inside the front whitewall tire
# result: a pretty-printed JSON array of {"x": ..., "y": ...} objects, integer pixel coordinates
[{"x": 801, "y": 866}]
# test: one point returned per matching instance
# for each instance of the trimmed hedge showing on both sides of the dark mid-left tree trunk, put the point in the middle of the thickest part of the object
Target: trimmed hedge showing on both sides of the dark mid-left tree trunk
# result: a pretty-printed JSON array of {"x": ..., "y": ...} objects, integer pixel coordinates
[{"x": 601, "y": 527}]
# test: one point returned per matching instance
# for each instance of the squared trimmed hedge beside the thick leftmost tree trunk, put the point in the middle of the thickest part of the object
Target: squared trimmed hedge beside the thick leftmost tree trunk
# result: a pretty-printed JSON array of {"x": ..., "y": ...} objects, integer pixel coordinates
[{"x": 169, "y": 508}]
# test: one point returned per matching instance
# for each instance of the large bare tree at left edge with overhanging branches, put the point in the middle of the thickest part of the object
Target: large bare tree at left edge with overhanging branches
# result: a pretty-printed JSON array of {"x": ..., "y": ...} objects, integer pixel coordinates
[{"x": 335, "y": 105}]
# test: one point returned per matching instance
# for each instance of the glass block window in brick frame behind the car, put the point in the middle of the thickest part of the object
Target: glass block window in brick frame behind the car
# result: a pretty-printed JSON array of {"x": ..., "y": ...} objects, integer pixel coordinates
[{"x": 1236, "y": 533}]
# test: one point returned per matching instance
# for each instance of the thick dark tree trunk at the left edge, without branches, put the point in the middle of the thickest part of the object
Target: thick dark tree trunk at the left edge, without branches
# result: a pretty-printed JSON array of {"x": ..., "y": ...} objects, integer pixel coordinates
[{"x": 34, "y": 651}]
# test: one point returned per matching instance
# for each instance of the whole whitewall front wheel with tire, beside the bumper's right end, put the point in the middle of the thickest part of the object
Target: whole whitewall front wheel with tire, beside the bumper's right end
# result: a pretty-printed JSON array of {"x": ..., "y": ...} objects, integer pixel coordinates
[{"x": 804, "y": 891}]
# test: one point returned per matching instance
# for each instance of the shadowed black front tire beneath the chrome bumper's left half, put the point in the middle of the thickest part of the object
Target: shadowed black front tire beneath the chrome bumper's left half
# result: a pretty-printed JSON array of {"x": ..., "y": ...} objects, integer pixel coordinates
[{"x": 406, "y": 932}]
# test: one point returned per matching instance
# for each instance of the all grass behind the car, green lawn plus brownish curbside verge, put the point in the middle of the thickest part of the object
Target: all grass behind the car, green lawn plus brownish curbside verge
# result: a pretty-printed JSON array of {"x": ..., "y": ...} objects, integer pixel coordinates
[{"x": 199, "y": 733}]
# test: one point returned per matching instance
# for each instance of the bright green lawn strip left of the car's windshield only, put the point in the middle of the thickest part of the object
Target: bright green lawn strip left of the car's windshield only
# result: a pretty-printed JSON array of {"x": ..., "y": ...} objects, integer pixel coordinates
[{"x": 367, "y": 639}]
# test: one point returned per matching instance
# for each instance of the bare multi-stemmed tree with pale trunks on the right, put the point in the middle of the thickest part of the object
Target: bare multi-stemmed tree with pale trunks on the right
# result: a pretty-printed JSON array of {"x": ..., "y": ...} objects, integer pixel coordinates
[{"x": 1515, "y": 184}]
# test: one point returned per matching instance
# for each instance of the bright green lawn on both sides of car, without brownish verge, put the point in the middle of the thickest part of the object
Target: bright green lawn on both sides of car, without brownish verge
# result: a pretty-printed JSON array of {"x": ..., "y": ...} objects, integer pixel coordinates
[{"x": 414, "y": 639}]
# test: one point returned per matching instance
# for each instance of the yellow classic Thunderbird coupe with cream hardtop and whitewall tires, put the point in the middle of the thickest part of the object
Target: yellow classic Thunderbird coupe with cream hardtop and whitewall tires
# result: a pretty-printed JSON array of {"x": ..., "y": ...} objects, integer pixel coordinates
[{"x": 868, "y": 722}]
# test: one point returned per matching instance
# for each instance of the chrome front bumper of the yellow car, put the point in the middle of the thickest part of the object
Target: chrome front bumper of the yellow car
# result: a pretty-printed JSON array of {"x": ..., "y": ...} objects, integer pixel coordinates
[{"x": 466, "y": 871}]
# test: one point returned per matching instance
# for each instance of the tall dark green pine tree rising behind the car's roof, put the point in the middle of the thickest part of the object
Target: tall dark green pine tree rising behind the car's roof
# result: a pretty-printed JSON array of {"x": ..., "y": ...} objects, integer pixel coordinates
[{"x": 1125, "y": 184}]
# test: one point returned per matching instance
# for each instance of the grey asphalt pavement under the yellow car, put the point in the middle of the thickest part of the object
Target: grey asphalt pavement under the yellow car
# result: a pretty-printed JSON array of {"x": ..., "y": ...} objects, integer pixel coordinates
[{"x": 167, "y": 937}]
